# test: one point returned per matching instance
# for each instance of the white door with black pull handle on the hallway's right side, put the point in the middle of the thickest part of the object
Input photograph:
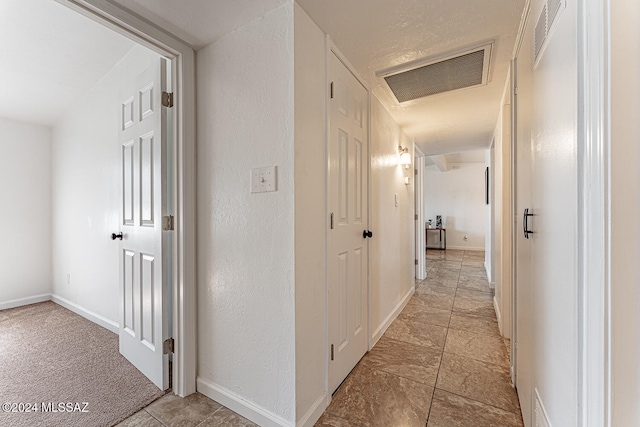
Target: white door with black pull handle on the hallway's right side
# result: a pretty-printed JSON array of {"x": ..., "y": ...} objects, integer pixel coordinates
[{"x": 547, "y": 293}]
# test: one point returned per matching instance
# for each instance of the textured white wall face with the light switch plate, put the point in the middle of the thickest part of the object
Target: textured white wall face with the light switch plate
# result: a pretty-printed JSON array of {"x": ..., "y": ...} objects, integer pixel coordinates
[{"x": 246, "y": 316}]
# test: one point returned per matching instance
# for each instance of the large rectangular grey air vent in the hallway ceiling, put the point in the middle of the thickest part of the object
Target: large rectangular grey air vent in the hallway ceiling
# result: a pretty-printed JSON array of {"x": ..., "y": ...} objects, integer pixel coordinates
[{"x": 430, "y": 76}]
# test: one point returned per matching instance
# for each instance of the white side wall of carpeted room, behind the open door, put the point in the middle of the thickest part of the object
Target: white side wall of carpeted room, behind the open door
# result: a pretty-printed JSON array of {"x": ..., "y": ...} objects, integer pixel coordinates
[{"x": 86, "y": 192}]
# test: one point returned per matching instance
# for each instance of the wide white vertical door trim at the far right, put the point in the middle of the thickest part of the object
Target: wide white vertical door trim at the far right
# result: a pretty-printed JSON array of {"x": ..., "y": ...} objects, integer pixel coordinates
[{"x": 594, "y": 225}]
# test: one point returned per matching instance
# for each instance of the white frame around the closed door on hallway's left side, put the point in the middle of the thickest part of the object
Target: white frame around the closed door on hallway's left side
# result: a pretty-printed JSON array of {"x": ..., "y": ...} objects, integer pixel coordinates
[{"x": 332, "y": 49}]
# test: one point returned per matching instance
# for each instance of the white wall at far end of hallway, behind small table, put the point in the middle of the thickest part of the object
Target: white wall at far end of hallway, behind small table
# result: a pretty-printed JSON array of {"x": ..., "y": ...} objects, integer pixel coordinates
[{"x": 457, "y": 195}]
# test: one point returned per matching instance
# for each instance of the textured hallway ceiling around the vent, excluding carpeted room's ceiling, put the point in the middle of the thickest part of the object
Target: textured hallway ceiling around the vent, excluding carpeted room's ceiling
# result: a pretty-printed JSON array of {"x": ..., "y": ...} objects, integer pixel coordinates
[{"x": 379, "y": 34}]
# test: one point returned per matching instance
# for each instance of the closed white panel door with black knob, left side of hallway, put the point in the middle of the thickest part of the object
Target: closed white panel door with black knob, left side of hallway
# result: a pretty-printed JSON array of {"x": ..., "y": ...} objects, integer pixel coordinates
[{"x": 348, "y": 208}]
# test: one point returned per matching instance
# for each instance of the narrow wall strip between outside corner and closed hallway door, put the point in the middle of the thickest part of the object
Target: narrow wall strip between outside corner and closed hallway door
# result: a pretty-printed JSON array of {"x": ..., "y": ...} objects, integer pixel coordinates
[{"x": 310, "y": 223}]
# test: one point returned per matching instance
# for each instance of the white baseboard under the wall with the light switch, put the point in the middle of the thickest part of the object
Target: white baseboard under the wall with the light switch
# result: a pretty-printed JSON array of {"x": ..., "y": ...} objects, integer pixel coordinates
[{"x": 240, "y": 406}]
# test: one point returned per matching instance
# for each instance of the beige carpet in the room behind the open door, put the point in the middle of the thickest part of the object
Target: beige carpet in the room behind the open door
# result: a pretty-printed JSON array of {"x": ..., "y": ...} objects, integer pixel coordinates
[{"x": 49, "y": 354}]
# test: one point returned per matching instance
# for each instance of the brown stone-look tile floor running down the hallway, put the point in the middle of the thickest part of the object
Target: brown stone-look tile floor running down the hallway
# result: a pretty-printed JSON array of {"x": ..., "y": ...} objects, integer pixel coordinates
[{"x": 442, "y": 362}]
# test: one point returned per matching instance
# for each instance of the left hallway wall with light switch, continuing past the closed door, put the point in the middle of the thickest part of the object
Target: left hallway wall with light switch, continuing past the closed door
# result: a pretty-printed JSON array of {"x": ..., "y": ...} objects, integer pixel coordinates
[{"x": 261, "y": 267}]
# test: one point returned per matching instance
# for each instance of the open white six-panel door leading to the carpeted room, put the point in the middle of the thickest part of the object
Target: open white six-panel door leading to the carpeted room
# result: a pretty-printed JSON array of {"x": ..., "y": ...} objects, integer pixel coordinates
[{"x": 144, "y": 299}]
